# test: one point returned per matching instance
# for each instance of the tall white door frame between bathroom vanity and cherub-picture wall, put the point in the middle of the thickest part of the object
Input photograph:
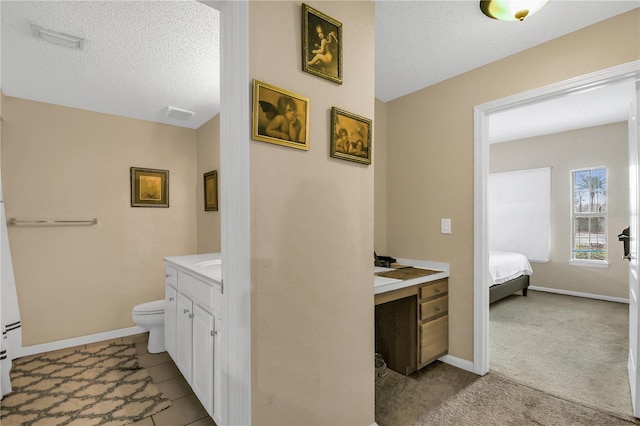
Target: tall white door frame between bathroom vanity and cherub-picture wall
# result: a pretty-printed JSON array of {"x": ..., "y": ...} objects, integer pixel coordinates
[{"x": 235, "y": 122}]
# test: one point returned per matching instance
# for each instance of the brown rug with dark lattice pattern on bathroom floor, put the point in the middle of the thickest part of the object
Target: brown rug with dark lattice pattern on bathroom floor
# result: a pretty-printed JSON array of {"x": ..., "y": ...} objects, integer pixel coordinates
[{"x": 99, "y": 385}]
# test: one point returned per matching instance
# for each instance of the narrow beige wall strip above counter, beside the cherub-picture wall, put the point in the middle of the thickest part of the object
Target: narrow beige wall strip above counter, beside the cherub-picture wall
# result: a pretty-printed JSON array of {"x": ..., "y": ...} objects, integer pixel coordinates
[{"x": 380, "y": 179}]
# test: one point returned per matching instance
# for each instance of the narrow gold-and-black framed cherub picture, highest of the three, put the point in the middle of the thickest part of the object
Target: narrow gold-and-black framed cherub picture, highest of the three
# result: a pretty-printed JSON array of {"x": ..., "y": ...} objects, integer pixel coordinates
[{"x": 321, "y": 44}]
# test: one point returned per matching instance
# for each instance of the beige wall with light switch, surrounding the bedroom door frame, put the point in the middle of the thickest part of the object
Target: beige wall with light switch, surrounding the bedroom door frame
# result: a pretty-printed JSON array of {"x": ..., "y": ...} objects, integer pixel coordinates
[{"x": 430, "y": 159}]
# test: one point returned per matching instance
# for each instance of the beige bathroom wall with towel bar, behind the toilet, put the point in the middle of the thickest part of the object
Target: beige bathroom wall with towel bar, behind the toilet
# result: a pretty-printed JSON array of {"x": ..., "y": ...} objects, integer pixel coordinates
[{"x": 64, "y": 163}]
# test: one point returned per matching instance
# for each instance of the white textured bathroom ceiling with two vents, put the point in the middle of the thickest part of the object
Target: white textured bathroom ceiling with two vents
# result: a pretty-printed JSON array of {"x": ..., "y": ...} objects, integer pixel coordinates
[{"x": 139, "y": 57}]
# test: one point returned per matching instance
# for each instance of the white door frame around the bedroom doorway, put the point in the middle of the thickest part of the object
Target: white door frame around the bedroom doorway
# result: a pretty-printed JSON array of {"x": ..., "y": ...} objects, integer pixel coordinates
[{"x": 482, "y": 112}]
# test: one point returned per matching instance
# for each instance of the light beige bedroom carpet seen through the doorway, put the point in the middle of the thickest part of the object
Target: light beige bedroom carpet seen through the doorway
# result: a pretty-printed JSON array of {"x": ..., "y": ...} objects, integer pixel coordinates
[{"x": 570, "y": 347}]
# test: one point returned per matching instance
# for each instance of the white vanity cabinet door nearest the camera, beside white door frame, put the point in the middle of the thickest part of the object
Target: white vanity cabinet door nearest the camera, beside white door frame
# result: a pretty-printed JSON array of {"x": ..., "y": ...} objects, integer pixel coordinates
[{"x": 203, "y": 329}]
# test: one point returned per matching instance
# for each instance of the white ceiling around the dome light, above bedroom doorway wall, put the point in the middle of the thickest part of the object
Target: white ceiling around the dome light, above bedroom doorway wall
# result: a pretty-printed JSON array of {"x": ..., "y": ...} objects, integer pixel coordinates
[{"x": 420, "y": 43}]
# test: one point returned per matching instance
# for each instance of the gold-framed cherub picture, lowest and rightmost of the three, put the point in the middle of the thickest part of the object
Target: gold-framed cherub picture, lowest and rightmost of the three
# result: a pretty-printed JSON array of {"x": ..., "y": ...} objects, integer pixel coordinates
[{"x": 350, "y": 136}]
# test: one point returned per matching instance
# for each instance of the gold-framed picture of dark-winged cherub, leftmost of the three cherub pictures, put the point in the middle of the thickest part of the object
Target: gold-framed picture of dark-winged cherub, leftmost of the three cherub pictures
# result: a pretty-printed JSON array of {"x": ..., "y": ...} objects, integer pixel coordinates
[{"x": 280, "y": 117}]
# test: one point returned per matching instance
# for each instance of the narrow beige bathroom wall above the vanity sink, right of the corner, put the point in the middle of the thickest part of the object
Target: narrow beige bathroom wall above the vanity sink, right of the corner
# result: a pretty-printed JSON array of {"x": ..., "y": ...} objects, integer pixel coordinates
[{"x": 208, "y": 159}]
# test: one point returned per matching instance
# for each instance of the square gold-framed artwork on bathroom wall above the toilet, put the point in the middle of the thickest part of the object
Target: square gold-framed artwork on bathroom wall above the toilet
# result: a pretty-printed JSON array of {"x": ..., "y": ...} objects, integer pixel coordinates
[{"x": 149, "y": 187}]
